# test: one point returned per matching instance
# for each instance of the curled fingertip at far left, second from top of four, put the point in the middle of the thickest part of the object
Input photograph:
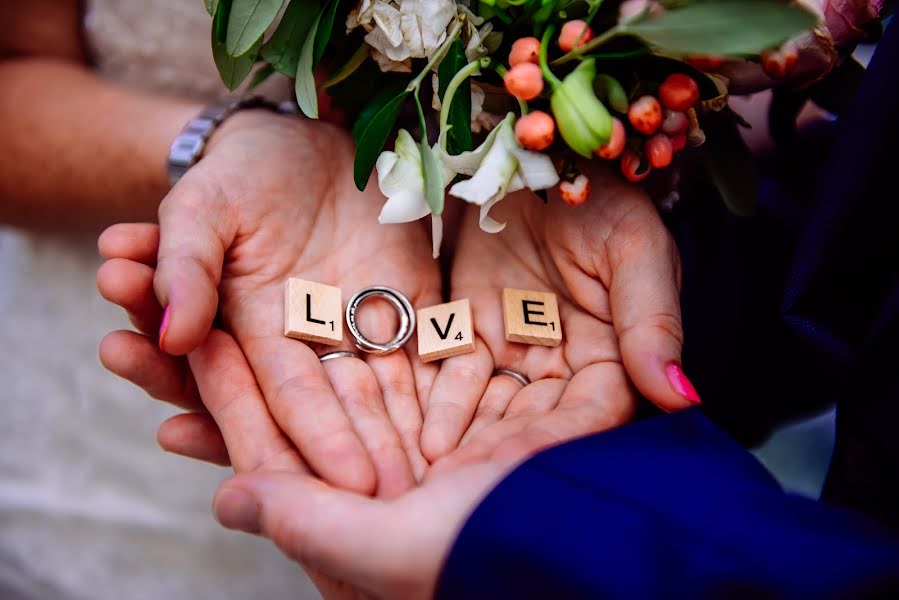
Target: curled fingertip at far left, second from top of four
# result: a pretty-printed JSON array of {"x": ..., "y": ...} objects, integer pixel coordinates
[{"x": 130, "y": 285}]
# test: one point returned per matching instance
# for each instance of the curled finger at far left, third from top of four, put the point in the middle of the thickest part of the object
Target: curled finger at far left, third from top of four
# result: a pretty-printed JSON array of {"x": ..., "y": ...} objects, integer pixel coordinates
[{"x": 136, "y": 357}]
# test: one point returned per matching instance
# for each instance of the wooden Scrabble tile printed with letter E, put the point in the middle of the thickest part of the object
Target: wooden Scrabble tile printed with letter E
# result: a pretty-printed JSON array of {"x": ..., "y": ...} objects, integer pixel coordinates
[{"x": 531, "y": 317}]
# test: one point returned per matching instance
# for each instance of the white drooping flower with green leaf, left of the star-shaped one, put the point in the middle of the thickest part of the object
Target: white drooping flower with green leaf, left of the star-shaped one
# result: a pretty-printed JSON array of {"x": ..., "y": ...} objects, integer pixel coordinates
[{"x": 401, "y": 179}]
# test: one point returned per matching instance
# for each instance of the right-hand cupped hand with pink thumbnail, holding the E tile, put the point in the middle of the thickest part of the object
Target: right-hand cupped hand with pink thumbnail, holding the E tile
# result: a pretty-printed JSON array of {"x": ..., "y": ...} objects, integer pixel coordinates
[{"x": 615, "y": 270}]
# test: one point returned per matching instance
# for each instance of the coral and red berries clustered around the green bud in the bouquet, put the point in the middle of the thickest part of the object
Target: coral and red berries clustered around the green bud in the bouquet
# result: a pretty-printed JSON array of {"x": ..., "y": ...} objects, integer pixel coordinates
[{"x": 645, "y": 134}]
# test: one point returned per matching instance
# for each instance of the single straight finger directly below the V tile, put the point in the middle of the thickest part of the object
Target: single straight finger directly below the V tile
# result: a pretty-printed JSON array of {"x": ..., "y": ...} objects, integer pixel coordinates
[{"x": 458, "y": 387}]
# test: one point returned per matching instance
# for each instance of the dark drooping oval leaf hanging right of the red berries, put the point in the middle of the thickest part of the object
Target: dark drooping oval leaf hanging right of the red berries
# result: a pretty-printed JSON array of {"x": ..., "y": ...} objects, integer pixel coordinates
[{"x": 730, "y": 164}]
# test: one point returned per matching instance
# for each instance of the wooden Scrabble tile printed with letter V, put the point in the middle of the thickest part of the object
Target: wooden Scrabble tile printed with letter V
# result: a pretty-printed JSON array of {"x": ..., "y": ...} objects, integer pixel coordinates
[{"x": 445, "y": 330}]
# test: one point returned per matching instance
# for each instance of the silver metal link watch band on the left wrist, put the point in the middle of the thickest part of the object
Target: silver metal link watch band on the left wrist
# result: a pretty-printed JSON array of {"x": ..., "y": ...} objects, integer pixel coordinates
[{"x": 187, "y": 148}]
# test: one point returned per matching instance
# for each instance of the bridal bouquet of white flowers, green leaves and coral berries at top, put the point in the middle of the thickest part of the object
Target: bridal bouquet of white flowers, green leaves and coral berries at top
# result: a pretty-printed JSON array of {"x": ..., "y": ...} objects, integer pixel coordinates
[{"x": 487, "y": 97}]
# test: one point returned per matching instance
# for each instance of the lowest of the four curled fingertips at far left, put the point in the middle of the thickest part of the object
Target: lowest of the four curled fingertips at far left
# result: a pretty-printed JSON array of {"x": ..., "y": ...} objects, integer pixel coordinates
[{"x": 195, "y": 436}]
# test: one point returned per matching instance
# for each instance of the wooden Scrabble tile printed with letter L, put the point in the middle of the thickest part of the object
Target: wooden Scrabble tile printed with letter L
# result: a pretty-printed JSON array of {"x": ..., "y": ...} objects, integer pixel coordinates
[{"x": 313, "y": 312}]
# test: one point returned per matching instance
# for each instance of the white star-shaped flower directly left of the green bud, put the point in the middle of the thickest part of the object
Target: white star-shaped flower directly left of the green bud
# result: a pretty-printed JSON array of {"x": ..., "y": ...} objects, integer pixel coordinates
[{"x": 498, "y": 167}]
